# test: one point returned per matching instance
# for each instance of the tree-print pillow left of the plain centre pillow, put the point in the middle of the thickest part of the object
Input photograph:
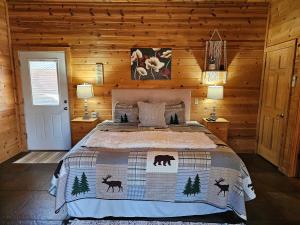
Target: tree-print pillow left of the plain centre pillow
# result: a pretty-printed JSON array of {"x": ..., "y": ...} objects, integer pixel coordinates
[{"x": 125, "y": 113}]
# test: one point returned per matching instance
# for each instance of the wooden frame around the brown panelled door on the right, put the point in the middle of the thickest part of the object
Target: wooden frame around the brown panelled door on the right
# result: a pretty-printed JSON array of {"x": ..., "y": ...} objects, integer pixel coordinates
[{"x": 266, "y": 50}]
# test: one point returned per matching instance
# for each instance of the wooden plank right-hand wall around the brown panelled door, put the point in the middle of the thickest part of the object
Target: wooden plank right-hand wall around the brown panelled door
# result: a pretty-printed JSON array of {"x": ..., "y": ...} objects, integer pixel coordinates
[{"x": 284, "y": 25}]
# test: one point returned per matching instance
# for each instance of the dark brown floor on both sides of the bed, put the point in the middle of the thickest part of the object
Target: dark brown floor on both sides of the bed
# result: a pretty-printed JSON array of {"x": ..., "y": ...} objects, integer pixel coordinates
[{"x": 24, "y": 199}]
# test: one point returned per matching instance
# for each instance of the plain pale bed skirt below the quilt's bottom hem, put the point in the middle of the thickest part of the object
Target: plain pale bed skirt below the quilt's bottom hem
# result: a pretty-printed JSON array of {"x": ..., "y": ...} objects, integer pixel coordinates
[{"x": 99, "y": 208}]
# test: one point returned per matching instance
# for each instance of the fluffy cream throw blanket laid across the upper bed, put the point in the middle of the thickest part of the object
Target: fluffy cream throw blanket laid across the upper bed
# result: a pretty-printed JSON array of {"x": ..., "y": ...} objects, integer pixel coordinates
[{"x": 150, "y": 139}]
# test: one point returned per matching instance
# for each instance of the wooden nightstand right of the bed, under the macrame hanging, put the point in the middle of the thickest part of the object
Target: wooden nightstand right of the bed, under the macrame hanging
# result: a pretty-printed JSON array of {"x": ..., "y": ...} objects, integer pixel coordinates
[{"x": 219, "y": 127}]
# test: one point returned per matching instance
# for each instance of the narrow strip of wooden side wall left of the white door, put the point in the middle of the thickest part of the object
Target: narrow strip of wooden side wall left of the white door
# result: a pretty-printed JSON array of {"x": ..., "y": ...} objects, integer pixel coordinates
[{"x": 9, "y": 145}]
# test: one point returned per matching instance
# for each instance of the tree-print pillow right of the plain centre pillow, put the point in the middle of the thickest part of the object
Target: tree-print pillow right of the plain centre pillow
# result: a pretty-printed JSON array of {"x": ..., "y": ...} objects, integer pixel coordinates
[{"x": 175, "y": 113}]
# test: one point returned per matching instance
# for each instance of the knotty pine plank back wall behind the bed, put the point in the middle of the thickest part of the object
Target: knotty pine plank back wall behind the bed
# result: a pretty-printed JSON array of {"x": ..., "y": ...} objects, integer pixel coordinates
[{"x": 105, "y": 32}]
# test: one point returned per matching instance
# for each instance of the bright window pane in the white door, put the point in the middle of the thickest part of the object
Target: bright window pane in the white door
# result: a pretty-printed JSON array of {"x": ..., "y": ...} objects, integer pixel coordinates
[{"x": 44, "y": 83}]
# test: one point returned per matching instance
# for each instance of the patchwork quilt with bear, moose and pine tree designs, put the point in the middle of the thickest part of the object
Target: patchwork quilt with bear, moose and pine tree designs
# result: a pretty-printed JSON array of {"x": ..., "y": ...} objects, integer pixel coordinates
[{"x": 217, "y": 177}]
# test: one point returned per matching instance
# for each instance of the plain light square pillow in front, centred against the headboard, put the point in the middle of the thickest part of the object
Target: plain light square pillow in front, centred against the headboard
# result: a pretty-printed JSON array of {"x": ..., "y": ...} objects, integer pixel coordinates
[{"x": 152, "y": 114}]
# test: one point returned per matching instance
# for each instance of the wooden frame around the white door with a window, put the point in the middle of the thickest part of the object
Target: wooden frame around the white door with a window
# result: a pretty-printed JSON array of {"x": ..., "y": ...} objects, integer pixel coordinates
[{"x": 19, "y": 91}]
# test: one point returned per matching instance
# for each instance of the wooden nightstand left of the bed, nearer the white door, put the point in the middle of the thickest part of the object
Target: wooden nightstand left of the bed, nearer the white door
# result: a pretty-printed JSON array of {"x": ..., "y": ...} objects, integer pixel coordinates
[{"x": 81, "y": 127}]
